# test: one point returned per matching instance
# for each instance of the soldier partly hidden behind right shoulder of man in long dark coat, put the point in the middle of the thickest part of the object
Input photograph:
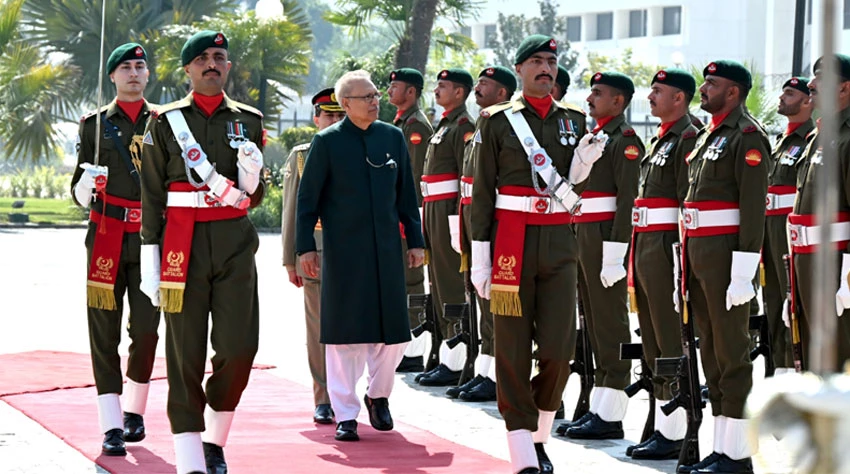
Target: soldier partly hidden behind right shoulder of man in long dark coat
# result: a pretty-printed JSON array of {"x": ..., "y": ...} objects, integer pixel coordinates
[{"x": 404, "y": 93}]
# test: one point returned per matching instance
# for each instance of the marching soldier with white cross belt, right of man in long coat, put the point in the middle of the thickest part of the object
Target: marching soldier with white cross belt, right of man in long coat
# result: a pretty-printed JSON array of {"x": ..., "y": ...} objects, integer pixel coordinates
[{"x": 528, "y": 173}]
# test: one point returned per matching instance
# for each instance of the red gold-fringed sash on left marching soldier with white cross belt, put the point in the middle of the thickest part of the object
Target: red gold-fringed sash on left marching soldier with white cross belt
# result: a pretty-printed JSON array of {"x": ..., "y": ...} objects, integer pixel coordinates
[{"x": 177, "y": 244}]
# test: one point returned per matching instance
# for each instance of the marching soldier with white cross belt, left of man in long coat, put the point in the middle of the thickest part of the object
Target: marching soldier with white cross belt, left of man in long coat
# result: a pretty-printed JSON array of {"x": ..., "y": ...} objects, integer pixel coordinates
[{"x": 196, "y": 217}]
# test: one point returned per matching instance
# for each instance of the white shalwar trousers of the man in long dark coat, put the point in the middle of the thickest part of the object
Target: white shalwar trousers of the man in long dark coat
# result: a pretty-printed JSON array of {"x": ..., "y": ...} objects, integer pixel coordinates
[{"x": 345, "y": 364}]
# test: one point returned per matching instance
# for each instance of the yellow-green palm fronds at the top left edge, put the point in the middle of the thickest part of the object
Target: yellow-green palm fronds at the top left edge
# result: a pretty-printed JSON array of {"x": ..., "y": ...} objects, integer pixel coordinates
[{"x": 34, "y": 93}]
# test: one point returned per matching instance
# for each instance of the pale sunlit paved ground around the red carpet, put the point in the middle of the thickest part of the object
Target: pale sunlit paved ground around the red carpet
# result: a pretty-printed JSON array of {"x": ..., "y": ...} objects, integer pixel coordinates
[{"x": 43, "y": 291}]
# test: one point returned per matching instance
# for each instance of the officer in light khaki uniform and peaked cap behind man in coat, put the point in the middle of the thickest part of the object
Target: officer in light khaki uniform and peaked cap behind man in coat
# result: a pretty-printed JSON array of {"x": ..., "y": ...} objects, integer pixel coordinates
[{"x": 326, "y": 112}]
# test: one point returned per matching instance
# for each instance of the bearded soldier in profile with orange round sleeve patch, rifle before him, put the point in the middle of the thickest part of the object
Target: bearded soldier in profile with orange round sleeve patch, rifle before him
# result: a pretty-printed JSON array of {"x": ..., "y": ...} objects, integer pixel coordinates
[{"x": 723, "y": 221}]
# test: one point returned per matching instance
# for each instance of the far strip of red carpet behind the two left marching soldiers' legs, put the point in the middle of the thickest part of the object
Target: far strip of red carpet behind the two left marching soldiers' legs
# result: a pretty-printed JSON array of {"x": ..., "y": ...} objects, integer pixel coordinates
[{"x": 43, "y": 371}]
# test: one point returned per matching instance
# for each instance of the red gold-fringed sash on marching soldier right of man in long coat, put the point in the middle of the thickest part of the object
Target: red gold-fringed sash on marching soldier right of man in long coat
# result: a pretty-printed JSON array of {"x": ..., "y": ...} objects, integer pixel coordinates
[{"x": 507, "y": 256}]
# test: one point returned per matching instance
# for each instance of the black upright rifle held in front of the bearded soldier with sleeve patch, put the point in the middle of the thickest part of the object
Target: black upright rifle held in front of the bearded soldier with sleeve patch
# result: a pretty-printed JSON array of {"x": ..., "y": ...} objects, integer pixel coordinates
[{"x": 687, "y": 388}]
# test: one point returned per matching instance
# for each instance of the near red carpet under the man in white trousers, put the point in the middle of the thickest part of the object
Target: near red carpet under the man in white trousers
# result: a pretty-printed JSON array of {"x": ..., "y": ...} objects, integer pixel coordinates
[{"x": 272, "y": 433}]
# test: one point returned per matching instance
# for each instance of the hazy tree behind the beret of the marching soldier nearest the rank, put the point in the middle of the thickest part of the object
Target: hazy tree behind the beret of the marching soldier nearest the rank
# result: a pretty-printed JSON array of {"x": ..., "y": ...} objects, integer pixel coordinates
[{"x": 512, "y": 29}]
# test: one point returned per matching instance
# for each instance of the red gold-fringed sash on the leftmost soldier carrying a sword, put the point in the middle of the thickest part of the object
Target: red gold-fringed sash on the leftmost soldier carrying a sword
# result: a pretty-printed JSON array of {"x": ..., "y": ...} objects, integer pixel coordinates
[{"x": 106, "y": 251}]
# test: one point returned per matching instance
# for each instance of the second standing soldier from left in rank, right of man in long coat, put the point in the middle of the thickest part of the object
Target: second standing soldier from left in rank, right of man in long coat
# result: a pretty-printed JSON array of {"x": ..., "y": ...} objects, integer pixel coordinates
[{"x": 440, "y": 187}]
